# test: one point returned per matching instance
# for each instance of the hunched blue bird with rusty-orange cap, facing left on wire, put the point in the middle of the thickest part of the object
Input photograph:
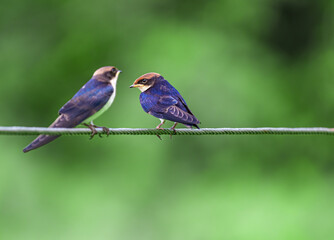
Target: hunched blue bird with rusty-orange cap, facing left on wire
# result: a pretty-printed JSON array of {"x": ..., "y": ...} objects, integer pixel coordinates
[{"x": 160, "y": 99}]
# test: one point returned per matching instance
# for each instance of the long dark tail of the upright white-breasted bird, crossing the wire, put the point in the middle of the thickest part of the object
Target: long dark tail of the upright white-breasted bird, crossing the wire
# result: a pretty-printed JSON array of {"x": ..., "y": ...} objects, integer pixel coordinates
[{"x": 41, "y": 140}]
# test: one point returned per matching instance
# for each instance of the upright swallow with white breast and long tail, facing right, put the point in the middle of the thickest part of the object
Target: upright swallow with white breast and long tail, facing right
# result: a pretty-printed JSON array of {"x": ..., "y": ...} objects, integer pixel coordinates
[{"x": 93, "y": 99}]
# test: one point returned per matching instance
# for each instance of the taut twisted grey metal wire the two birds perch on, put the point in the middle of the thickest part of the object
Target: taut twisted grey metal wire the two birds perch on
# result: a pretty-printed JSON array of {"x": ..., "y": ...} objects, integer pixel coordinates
[{"x": 180, "y": 131}]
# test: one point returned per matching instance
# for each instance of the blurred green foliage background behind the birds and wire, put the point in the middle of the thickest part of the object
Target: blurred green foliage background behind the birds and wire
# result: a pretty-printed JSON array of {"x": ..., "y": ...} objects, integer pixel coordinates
[{"x": 237, "y": 63}]
